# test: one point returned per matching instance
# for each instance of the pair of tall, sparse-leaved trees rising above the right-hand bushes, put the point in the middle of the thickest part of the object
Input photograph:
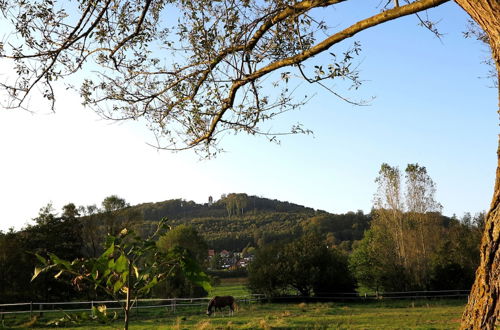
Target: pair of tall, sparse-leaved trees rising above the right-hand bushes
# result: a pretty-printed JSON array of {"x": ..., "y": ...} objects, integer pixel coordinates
[{"x": 412, "y": 220}]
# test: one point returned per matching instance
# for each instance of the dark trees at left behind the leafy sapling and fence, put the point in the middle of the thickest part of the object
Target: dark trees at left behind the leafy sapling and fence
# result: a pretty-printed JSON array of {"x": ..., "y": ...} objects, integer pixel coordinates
[{"x": 76, "y": 239}]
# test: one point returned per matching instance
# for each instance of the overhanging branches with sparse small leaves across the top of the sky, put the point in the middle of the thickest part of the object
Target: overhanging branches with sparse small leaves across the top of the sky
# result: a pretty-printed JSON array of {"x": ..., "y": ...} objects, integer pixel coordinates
[{"x": 192, "y": 69}]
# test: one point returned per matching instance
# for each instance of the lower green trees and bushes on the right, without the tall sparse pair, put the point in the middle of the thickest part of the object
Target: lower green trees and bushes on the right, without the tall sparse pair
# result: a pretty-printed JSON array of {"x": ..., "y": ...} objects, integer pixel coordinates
[{"x": 373, "y": 263}]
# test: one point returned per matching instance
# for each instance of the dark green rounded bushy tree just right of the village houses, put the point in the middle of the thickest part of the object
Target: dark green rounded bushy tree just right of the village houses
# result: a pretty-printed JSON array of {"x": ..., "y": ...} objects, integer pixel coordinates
[{"x": 305, "y": 265}]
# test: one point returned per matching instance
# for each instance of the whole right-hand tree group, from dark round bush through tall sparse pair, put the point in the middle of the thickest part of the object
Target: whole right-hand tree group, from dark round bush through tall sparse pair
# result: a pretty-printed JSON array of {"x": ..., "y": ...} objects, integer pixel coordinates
[{"x": 409, "y": 245}]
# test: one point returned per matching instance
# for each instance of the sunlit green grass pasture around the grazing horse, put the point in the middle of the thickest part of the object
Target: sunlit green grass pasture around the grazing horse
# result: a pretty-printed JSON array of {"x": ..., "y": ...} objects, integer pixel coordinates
[{"x": 384, "y": 314}]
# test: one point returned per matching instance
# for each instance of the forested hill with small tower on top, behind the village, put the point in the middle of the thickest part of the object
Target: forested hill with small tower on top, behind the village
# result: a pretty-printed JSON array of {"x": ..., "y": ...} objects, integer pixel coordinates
[{"x": 238, "y": 220}]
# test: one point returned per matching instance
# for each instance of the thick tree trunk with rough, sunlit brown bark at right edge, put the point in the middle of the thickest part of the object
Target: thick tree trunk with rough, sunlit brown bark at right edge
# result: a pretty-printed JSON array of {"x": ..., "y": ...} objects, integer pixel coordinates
[{"x": 483, "y": 309}]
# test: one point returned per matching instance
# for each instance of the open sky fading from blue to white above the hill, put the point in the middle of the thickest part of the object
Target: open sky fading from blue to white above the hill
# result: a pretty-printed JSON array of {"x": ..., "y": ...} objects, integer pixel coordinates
[{"x": 432, "y": 106}]
